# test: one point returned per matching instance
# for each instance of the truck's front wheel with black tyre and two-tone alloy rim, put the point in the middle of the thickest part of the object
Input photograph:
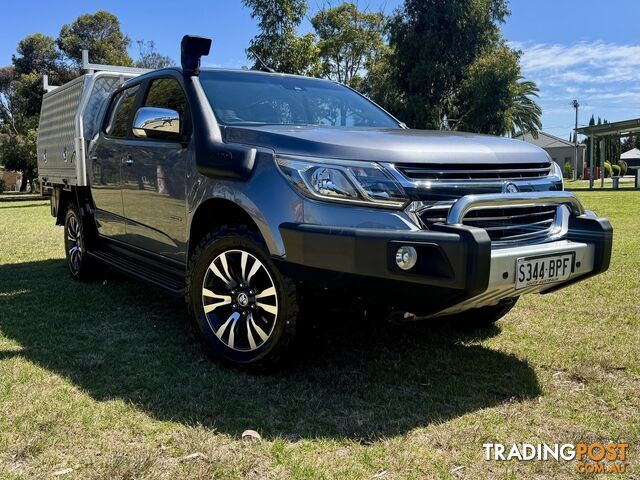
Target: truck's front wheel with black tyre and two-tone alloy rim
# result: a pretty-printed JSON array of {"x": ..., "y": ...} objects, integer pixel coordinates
[{"x": 244, "y": 308}]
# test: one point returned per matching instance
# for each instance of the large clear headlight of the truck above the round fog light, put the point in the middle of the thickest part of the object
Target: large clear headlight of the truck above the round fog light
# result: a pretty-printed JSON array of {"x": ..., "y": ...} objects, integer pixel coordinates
[{"x": 365, "y": 183}]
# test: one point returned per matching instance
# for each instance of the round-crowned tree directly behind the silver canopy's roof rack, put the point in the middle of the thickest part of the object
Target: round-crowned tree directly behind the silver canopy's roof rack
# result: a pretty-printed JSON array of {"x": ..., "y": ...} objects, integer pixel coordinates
[{"x": 100, "y": 34}]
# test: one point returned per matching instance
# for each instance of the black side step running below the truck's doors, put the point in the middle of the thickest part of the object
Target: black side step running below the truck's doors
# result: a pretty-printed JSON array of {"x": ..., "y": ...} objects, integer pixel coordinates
[{"x": 169, "y": 276}]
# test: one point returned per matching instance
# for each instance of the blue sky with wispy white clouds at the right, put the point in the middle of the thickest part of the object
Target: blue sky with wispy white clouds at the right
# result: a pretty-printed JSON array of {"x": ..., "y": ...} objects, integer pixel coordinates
[{"x": 588, "y": 49}]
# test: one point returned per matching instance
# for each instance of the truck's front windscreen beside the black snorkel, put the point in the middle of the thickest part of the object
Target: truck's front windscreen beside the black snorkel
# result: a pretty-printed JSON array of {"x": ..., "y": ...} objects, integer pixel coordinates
[{"x": 250, "y": 98}]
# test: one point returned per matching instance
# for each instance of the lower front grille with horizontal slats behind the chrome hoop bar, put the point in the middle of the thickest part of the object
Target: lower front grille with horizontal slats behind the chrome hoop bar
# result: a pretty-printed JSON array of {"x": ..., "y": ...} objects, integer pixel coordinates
[{"x": 503, "y": 224}]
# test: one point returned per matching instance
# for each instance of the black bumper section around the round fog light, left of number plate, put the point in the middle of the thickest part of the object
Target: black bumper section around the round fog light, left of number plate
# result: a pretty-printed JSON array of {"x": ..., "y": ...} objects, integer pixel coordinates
[{"x": 452, "y": 257}]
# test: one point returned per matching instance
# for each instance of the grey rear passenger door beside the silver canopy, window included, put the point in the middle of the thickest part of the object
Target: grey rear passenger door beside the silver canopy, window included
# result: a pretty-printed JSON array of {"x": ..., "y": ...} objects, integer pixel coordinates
[{"x": 107, "y": 157}]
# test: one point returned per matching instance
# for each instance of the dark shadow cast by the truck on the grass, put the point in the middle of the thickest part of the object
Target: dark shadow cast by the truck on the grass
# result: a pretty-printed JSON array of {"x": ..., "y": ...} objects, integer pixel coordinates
[{"x": 117, "y": 338}]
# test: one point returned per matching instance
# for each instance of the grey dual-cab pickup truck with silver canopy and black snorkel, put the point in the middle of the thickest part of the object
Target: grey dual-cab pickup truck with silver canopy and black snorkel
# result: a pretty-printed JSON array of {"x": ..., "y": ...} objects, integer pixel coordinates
[{"x": 239, "y": 189}]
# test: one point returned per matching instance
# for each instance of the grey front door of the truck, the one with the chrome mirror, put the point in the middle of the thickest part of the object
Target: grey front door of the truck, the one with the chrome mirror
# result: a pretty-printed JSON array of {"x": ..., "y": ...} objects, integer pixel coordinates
[{"x": 154, "y": 178}]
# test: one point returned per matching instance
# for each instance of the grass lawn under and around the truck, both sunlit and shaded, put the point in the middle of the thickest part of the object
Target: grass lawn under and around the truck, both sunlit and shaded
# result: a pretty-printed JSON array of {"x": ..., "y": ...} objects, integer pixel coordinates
[{"x": 105, "y": 379}]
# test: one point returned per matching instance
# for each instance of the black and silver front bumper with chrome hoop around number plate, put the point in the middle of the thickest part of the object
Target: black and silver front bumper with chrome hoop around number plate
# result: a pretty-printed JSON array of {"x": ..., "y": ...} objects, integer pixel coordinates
[{"x": 458, "y": 267}]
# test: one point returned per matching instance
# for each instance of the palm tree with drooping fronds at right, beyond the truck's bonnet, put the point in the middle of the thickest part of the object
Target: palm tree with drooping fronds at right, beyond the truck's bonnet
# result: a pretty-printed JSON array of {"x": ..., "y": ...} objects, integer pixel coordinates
[{"x": 523, "y": 116}]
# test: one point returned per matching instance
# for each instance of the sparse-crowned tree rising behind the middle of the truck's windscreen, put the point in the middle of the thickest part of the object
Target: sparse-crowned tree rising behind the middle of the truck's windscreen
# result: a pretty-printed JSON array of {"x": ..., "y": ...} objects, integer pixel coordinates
[{"x": 349, "y": 42}]
